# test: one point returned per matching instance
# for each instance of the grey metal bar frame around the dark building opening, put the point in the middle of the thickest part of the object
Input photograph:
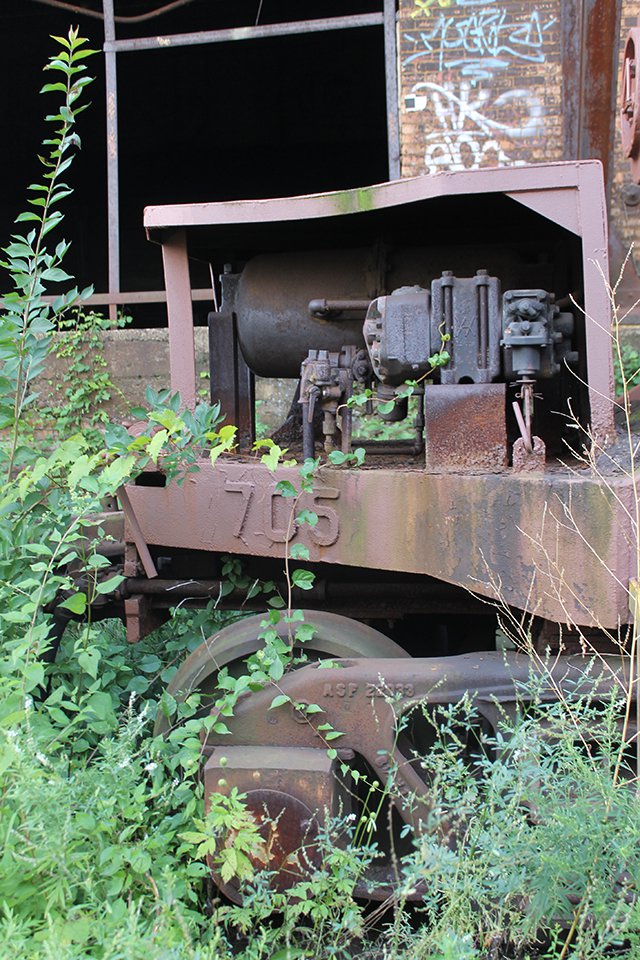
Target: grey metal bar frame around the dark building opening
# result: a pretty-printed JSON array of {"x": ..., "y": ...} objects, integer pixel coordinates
[{"x": 112, "y": 46}]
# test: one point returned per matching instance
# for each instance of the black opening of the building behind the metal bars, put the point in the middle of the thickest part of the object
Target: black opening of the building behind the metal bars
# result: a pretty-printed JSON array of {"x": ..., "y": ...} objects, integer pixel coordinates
[{"x": 257, "y": 118}]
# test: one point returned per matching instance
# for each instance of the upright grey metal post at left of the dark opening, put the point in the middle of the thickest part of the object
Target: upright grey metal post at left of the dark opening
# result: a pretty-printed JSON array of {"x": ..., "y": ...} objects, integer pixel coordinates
[{"x": 113, "y": 202}]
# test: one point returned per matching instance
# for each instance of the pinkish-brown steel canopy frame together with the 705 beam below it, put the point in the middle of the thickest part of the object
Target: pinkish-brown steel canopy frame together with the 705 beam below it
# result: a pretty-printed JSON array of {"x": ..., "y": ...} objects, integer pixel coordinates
[{"x": 234, "y": 508}]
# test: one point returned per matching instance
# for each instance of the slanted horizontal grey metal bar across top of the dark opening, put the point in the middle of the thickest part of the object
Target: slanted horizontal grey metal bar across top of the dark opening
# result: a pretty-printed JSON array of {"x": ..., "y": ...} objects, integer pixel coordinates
[{"x": 244, "y": 33}]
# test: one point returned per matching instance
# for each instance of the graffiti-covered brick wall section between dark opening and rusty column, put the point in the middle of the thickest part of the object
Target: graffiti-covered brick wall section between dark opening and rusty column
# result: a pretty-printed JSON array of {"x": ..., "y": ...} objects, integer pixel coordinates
[{"x": 480, "y": 85}]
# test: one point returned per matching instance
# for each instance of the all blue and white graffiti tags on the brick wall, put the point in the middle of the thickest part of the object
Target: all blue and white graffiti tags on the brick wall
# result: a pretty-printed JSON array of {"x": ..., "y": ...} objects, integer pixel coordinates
[{"x": 477, "y": 115}]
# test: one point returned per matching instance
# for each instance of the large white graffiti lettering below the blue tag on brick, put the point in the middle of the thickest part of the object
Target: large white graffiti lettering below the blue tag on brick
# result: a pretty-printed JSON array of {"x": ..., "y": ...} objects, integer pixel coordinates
[{"x": 469, "y": 128}]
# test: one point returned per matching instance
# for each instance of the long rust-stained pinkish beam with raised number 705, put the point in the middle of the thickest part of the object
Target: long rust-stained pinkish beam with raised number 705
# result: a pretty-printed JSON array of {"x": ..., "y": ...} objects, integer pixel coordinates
[{"x": 494, "y": 534}]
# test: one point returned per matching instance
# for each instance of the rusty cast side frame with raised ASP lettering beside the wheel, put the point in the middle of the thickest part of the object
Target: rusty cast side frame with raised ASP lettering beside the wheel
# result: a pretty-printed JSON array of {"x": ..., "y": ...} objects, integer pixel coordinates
[{"x": 364, "y": 698}]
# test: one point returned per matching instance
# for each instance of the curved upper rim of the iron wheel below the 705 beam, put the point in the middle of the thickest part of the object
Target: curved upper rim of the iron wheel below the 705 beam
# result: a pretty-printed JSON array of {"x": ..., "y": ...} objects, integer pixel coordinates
[{"x": 335, "y": 636}]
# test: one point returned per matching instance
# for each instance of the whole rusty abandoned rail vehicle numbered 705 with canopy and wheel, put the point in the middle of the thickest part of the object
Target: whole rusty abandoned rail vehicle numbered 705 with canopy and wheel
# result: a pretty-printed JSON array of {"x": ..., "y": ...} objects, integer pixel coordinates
[{"x": 487, "y": 503}]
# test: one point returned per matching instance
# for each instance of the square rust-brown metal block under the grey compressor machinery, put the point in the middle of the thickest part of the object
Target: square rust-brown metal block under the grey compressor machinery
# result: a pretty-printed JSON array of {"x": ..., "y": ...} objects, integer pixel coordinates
[{"x": 465, "y": 427}]
